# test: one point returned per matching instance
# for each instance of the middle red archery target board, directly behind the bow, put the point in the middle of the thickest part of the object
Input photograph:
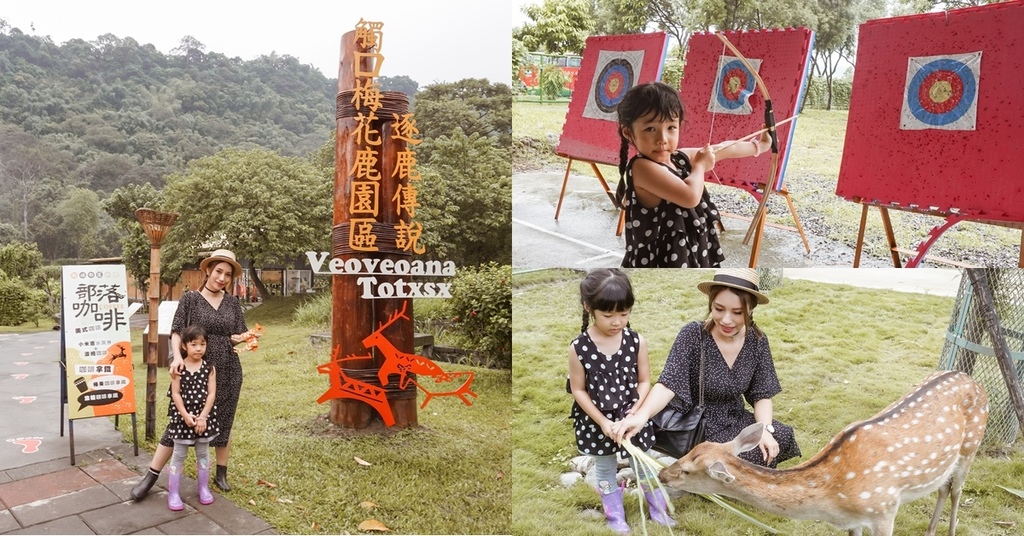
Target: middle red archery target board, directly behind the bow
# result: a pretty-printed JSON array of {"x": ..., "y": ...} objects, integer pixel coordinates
[{"x": 721, "y": 101}]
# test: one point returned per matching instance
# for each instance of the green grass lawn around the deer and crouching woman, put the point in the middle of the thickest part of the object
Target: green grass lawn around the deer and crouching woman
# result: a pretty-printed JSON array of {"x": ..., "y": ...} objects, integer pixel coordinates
[{"x": 842, "y": 354}]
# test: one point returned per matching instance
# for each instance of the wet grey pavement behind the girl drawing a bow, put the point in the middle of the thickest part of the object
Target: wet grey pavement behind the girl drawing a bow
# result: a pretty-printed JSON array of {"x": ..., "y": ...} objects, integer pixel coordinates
[{"x": 584, "y": 235}]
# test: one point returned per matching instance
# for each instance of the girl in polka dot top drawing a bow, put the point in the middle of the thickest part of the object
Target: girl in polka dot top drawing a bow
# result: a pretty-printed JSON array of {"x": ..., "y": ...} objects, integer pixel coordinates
[{"x": 671, "y": 221}]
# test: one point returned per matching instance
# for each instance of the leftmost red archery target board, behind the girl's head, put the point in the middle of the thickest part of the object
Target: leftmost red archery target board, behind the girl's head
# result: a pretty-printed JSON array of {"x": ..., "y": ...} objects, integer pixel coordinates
[{"x": 612, "y": 65}]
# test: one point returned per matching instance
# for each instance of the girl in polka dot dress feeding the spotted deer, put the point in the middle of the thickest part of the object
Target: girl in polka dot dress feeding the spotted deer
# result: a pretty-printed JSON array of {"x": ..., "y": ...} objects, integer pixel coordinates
[{"x": 610, "y": 378}]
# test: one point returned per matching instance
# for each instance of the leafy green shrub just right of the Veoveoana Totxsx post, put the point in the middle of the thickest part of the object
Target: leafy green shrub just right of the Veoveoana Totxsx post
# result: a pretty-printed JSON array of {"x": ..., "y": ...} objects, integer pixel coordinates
[{"x": 482, "y": 311}]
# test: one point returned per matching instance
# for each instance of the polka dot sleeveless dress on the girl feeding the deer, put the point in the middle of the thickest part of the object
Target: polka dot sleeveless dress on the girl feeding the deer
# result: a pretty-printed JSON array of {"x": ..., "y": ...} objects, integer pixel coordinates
[{"x": 612, "y": 383}]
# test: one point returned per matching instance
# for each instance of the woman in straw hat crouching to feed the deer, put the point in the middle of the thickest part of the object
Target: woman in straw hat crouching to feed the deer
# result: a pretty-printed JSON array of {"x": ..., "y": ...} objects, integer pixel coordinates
[{"x": 739, "y": 366}]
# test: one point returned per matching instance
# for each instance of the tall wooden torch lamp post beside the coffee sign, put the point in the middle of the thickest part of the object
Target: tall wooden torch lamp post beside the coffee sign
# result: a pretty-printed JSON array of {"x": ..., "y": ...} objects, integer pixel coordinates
[{"x": 156, "y": 226}]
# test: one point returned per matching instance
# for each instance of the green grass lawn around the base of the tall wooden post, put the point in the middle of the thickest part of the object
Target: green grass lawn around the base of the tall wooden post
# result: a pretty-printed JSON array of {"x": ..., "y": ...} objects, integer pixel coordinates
[{"x": 449, "y": 476}]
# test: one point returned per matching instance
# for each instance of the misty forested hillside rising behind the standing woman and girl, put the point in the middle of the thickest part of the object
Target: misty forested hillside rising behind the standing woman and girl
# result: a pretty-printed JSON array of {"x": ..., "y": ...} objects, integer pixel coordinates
[{"x": 79, "y": 120}]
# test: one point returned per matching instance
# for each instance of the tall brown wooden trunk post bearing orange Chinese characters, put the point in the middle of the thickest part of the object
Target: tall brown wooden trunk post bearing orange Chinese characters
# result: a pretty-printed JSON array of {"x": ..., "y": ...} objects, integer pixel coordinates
[{"x": 353, "y": 316}]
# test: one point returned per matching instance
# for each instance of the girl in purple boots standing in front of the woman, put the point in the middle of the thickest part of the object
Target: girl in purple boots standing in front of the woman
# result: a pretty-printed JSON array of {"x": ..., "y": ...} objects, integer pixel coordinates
[{"x": 193, "y": 417}]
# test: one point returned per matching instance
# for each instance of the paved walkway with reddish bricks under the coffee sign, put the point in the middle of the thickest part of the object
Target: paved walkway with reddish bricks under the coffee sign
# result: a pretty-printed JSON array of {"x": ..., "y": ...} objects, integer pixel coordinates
[{"x": 41, "y": 492}]
